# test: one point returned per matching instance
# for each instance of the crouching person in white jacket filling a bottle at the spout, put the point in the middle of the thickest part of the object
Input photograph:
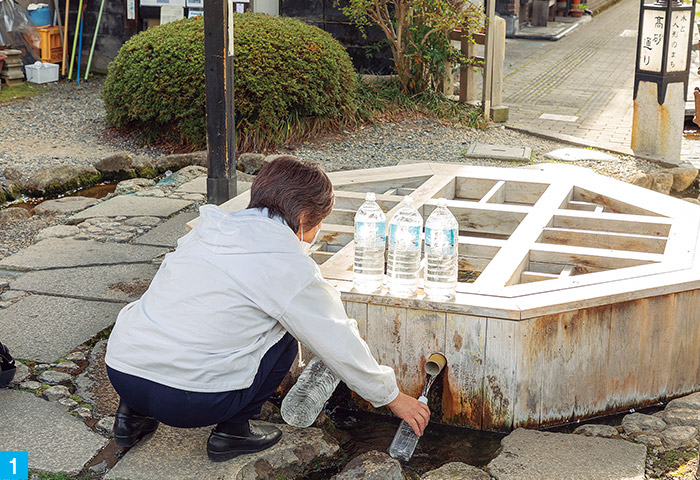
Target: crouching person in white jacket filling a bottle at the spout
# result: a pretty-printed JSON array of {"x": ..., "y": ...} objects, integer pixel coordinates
[{"x": 217, "y": 330}]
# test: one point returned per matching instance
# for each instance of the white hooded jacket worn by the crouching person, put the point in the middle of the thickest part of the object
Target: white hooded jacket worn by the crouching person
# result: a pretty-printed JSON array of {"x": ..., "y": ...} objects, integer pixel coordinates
[{"x": 236, "y": 283}]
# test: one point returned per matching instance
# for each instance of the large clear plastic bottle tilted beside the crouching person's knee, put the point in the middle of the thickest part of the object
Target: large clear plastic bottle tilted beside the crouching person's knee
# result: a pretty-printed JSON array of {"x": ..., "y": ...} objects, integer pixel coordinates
[{"x": 307, "y": 397}]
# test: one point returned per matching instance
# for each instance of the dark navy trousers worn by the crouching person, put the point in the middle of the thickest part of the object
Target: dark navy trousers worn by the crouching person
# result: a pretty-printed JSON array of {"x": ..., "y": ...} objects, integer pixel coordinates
[{"x": 185, "y": 409}]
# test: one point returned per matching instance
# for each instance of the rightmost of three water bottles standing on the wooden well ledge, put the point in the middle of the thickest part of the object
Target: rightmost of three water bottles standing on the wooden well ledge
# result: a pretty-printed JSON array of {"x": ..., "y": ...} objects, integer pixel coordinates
[{"x": 441, "y": 252}]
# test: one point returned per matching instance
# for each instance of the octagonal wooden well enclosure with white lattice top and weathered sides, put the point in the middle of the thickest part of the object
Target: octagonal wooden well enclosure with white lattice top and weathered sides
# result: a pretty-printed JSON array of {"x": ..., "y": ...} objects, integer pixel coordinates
[{"x": 582, "y": 297}]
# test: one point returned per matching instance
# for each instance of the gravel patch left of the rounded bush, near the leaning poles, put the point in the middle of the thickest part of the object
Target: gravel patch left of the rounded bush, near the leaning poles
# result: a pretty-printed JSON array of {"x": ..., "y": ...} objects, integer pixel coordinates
[{"x": 62, "y": 126}]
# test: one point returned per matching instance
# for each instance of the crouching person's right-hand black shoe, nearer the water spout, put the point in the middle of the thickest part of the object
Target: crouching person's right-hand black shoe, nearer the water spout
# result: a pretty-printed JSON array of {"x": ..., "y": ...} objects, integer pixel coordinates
[{"x": 224, "y": 446}]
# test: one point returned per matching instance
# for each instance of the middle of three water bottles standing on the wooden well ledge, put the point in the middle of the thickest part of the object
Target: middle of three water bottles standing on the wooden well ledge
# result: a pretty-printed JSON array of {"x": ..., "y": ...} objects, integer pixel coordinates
[{"x": 403, "y": 260}]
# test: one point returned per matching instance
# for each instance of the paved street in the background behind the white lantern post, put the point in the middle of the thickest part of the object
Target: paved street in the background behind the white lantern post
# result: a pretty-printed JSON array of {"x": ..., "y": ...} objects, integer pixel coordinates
[{"x": 580, "y": 88}]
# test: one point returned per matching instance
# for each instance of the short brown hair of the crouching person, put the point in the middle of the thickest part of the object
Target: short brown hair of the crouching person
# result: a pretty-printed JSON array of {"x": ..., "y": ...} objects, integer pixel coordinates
[{"x": 288, "y": 187}]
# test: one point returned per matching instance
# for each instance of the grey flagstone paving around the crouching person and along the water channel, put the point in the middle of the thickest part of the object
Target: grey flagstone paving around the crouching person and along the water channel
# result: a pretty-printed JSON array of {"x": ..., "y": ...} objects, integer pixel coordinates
[{"x": 59, "y": 297}]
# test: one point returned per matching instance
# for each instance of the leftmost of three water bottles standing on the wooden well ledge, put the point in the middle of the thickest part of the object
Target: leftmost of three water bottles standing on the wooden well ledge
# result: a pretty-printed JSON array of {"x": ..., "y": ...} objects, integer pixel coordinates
[{"x": 370, "y": 243}]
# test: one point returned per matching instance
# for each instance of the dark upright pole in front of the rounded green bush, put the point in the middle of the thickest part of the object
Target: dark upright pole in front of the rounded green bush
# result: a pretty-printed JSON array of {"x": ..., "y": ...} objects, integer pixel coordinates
[{"x": 221, "y": 139}]
